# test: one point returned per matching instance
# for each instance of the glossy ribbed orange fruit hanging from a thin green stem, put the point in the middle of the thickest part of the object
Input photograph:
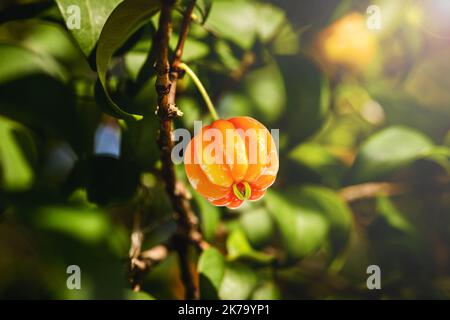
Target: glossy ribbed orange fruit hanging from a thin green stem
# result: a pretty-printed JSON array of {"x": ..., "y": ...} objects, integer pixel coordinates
[{"x": 236, "y": 166}]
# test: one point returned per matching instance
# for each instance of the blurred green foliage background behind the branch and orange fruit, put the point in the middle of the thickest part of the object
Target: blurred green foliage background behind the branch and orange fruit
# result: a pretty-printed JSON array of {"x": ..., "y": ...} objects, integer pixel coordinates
[{"x": 364, "y": 119}]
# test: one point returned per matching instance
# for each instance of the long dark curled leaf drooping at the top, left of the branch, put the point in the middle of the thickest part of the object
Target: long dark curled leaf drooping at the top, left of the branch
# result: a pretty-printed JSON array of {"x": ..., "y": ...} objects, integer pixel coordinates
[{"x": 121, "y": 24}]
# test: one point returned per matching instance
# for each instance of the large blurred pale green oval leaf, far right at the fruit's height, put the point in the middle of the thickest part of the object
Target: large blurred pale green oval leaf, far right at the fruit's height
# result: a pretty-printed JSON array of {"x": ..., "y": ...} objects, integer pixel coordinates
[{"x": 387, "y": 151}]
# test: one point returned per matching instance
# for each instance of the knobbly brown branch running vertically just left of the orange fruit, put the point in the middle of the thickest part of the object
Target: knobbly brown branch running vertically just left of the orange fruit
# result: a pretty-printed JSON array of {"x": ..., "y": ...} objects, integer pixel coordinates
[{"x": 166, "y": 83}]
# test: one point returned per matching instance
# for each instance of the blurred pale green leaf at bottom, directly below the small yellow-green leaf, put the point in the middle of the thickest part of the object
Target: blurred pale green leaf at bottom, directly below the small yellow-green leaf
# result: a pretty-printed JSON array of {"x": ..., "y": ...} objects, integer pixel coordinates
[{"x": 238, "y": 282}]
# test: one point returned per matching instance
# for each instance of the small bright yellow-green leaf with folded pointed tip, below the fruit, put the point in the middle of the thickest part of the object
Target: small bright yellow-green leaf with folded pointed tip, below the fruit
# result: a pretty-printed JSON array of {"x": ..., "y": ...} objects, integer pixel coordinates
[{"x": 239, "y": 248}]
